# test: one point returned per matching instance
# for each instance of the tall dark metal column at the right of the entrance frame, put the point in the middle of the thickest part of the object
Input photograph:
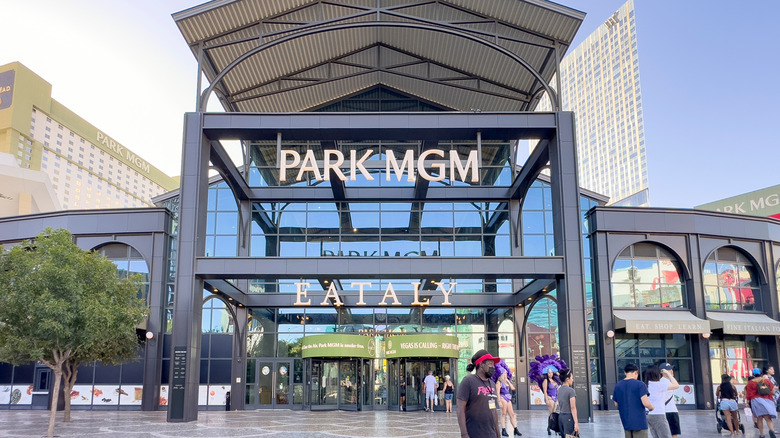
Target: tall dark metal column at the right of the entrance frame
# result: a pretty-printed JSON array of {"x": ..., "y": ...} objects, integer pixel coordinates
[{"x": 572, "y": 323}]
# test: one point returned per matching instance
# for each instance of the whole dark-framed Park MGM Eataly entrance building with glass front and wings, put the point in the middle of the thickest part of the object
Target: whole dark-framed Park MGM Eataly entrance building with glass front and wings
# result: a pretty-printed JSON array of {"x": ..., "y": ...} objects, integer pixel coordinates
[{"x": 361, "y": 244}]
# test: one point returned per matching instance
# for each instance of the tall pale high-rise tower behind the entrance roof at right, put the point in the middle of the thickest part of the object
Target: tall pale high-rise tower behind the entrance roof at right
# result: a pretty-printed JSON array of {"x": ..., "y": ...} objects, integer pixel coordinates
[{"x": 600, "y": 84}]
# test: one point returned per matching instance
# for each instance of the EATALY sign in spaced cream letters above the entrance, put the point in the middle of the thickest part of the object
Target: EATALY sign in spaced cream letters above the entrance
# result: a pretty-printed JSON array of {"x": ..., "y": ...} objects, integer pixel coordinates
[{"x": 332, "y": 297}]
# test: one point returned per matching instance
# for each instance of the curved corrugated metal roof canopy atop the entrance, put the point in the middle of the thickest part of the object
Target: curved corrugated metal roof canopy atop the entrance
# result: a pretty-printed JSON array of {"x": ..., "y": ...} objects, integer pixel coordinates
[{"x": 299, "y": 55}]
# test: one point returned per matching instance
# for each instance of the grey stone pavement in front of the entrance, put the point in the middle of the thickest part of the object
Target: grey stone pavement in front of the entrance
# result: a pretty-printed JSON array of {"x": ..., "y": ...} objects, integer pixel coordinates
[{"x": 292, "y": 424}]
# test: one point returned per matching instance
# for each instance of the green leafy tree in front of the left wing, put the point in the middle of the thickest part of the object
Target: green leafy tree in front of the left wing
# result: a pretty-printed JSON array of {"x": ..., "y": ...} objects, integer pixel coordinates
[{"x": 64, "y": 306}]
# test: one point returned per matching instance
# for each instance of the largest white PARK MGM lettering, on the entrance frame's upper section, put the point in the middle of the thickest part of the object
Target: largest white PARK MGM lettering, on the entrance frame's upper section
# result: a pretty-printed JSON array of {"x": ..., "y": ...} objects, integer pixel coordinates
[{"x": 334, "y": 159}]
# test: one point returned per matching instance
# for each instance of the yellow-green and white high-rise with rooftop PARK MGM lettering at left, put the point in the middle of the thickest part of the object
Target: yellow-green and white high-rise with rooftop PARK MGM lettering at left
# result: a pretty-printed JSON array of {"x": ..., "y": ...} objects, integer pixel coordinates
[{"x": 86, "y": 167}]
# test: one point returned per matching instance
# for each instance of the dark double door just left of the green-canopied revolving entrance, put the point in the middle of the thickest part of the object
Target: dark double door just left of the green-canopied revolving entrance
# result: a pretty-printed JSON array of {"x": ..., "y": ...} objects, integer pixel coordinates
[{"x": 273, "y": 388}]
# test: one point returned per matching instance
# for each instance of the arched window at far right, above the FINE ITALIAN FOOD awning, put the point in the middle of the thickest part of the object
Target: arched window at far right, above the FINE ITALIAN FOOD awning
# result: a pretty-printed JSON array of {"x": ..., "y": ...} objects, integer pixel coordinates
[{"x": 730, "y": 281}]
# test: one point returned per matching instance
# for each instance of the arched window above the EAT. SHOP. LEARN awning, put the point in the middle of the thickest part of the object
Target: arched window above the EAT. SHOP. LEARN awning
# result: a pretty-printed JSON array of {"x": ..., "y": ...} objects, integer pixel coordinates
[{"x": 646, "y": 275}]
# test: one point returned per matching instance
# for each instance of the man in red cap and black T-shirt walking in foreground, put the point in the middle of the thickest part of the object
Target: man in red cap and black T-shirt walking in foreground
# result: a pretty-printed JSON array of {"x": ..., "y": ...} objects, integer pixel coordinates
[{"x": 477, "y": 403}]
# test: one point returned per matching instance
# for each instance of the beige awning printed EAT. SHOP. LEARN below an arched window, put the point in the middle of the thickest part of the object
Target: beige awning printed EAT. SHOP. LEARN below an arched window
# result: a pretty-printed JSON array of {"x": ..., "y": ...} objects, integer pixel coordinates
[{"x": 660, "y": 321}]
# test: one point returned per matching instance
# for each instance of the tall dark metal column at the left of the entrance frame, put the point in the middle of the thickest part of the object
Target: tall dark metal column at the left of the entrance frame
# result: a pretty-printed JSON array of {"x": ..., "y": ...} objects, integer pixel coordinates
[{"x": 188, "y": 301}]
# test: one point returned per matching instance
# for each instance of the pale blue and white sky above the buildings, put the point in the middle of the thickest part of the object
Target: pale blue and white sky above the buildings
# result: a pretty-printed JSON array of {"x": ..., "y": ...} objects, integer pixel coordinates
[{"x": 708, "y": 73}]
